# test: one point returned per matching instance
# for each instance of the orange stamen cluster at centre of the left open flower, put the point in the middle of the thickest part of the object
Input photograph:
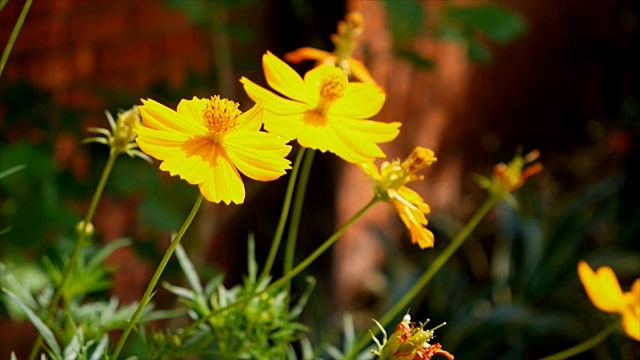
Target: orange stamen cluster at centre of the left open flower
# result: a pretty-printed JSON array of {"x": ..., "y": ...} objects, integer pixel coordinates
[{"x": 220, "y": 116}]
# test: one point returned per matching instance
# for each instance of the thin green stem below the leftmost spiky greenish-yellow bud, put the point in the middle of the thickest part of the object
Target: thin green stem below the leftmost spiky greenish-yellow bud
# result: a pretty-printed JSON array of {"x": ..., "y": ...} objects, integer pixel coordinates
[{"x": 71, "y": 264}]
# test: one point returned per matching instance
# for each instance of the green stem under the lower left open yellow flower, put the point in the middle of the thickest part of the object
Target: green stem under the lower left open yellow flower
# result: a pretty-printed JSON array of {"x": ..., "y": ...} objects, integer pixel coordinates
[{"x": 156, "y": 276}]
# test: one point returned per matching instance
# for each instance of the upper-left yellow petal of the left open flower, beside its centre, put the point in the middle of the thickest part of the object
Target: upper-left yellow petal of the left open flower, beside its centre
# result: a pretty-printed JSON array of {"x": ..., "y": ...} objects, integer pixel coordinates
[{"x": 160, "y": 117}]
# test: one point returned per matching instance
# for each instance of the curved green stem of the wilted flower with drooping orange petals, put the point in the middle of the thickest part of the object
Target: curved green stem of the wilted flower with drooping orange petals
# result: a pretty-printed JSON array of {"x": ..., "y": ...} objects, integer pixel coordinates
[{"x": 295, "y": 271}]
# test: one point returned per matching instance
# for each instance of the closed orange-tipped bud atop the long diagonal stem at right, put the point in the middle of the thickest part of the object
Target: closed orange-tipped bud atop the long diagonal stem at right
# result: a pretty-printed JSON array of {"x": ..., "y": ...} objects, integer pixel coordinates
[{"x": 510, "y": 177}]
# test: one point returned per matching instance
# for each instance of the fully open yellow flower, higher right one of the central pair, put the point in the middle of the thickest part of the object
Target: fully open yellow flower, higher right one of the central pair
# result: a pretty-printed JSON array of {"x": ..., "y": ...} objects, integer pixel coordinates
[{"x": 324, "y": 111}]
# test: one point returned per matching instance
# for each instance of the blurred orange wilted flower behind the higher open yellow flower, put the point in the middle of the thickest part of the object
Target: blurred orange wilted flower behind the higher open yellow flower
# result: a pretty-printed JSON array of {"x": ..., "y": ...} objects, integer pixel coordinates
[{"x": 345, "y": 42}]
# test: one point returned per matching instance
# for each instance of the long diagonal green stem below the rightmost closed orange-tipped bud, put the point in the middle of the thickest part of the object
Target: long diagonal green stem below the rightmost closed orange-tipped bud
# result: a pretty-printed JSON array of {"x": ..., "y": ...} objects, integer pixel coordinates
[{"x": 435, "y": 266}]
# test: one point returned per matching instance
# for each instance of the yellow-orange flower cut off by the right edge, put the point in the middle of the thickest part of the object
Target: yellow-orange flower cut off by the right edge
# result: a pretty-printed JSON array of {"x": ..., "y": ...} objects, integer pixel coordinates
[{"x": 603, "y": 289}]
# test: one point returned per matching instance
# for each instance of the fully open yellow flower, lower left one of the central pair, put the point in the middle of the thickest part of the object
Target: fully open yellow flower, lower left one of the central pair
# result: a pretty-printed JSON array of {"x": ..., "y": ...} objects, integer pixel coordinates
[{"x": 208, "y": 142}]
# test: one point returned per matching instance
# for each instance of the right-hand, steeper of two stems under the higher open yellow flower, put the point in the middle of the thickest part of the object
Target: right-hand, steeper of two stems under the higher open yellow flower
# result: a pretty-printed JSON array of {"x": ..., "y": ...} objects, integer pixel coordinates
[{"x": 294, "y": 225}]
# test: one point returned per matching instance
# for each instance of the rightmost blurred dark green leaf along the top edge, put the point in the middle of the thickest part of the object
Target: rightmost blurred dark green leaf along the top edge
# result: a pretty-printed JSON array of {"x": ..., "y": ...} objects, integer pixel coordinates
[{"x": 498, "y": 23}]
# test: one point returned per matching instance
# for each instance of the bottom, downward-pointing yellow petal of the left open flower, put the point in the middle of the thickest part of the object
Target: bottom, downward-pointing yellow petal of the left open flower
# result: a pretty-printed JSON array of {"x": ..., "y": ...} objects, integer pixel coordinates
[{"x": 223, "y": 182}]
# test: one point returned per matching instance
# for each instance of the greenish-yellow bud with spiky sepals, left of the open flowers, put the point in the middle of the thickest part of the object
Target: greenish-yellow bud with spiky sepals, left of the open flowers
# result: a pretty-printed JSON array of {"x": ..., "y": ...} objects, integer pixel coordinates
[{"x": 122, "y": 135}]
